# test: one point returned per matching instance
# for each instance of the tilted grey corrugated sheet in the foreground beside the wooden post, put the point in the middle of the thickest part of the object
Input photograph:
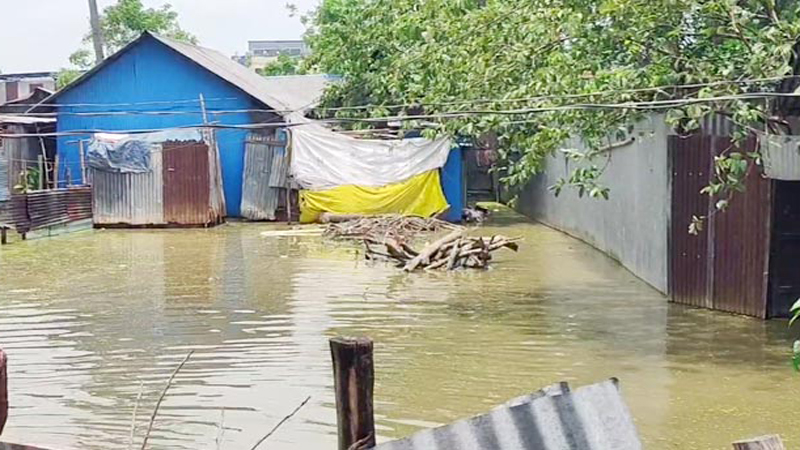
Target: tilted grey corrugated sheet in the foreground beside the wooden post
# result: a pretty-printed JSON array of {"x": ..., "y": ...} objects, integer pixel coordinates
[{"x": 590, "y": 418}]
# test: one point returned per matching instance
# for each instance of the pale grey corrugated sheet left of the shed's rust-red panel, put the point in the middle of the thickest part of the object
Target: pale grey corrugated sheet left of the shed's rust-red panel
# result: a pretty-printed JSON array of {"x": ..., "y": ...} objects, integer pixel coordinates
[{"x": 130, "y": 198}]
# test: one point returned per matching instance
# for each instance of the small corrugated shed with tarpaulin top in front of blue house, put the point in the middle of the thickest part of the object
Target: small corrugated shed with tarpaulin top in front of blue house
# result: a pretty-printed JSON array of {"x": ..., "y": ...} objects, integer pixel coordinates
[{"x": 155, "y": 180}]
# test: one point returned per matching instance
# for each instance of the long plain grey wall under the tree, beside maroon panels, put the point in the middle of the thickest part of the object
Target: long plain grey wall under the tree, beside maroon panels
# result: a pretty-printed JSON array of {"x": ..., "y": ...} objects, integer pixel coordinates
[{"x": 633, "y": 225}]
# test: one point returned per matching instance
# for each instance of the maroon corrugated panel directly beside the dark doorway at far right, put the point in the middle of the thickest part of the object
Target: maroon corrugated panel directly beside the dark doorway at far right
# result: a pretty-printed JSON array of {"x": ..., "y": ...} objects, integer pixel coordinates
[{"x": 741, "y": 244}]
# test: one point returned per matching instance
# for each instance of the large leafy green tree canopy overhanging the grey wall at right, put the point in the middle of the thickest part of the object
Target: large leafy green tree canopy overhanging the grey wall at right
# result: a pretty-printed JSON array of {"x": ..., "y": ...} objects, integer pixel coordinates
[{"x": 486, "y": 64}]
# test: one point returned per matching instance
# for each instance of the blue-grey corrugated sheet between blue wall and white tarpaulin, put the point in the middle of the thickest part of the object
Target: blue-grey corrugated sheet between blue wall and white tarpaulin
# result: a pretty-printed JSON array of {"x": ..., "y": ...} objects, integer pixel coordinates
[{"x": 260, "y": 199}]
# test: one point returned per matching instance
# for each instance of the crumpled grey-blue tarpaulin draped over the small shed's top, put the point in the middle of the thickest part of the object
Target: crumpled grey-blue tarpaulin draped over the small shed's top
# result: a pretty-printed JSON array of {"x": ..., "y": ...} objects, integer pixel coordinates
[{"x": 130, "y": 153}]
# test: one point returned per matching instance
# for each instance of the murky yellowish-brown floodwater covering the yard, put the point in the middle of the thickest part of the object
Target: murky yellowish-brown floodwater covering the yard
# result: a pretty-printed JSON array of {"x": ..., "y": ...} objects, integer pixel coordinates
[{"x": 91, "y": 319}]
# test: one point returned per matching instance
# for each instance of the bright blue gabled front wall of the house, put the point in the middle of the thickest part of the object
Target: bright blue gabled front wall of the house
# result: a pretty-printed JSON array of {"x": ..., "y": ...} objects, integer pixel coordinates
[{"x": 151, "y": 72}]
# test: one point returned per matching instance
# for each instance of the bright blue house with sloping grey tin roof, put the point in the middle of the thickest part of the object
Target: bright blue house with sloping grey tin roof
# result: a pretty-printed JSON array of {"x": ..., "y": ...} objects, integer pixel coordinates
[{"x": 156, "y": 83}]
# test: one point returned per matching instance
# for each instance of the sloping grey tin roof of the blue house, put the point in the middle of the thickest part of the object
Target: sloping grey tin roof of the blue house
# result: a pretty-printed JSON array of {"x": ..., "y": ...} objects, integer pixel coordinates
[{"x": 283, "y": 94}]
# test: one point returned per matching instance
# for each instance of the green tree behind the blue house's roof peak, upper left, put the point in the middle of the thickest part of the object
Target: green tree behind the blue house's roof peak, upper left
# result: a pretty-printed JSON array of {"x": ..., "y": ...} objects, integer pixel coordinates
[{"x": 120, "y": 24}]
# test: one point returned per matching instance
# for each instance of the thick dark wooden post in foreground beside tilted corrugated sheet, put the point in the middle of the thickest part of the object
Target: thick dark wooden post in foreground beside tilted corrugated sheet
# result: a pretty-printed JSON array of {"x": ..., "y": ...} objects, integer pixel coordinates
[{"x": 353, "y": 380}]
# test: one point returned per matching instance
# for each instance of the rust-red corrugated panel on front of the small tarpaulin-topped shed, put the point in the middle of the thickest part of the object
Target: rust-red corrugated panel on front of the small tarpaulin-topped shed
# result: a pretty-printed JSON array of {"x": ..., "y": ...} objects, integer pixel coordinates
[{"x": 186, "y": 184}]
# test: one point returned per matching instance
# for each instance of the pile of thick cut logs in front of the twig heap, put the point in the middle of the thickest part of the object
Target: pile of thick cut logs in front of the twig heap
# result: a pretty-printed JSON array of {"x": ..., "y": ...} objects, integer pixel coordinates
[{"x": 451, "y": 252}]
